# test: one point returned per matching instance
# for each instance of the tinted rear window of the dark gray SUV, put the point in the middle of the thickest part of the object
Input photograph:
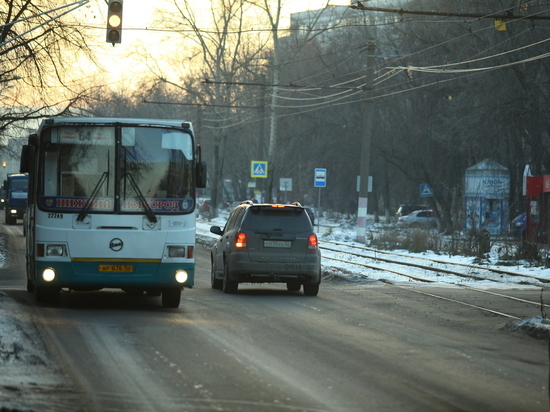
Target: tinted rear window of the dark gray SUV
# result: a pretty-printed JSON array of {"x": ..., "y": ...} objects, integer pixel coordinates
[{"x": 288, "y": 219}]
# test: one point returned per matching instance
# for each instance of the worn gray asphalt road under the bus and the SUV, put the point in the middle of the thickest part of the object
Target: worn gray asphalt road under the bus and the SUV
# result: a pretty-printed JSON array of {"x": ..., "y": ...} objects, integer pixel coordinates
[{"x": 355, "y": 347}]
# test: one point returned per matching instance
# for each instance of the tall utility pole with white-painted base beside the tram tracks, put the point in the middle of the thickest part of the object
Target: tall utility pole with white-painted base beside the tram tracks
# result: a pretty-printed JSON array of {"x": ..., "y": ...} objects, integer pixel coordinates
[{"x": 365, "y": 148}]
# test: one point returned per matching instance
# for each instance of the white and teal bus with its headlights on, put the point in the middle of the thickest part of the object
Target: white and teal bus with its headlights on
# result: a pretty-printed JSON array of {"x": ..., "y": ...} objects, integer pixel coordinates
[{"x": 111, "y": 205}]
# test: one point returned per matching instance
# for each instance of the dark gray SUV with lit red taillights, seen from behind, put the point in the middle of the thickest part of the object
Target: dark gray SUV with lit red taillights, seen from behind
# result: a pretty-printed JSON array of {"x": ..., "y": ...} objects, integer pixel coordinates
[{"x": 267, "y": 243}]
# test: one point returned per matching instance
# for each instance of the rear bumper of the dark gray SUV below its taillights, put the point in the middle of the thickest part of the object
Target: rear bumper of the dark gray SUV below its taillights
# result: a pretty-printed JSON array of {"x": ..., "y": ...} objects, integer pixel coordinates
[{"x": 241, "y": 269}]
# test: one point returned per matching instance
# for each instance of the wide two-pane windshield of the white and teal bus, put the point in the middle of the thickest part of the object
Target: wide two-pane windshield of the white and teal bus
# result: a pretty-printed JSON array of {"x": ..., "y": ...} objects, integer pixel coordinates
[{"x": 116, "y": 169}]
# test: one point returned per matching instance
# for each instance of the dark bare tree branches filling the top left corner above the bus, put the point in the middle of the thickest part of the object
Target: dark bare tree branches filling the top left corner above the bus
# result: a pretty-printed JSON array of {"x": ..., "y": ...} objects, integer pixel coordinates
[{"x": 38, "y": 39}]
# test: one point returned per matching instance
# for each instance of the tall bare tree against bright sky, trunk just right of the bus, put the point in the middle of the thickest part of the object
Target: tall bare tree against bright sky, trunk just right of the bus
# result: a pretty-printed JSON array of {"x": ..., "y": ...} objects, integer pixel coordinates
[{"x": 223, "y": 53}]
